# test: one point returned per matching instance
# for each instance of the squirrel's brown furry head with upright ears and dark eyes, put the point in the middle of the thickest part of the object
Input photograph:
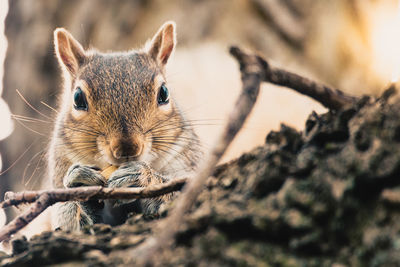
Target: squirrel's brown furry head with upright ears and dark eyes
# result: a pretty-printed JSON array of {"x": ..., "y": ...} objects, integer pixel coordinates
[{"x": 117, "y": 106}]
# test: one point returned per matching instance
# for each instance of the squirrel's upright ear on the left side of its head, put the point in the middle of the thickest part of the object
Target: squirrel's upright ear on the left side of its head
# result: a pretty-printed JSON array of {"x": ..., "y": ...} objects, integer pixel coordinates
[{"x": 70, "y": 52}]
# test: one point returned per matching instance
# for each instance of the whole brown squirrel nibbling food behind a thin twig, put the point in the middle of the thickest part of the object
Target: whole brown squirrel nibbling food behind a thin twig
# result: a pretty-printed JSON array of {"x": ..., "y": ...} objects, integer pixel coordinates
[{"x": 116, "y": 109}]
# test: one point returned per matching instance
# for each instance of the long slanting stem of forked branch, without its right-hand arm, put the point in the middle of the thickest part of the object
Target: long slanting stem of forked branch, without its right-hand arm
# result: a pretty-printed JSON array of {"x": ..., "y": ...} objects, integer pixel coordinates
[{"x": 252, "y": 75}]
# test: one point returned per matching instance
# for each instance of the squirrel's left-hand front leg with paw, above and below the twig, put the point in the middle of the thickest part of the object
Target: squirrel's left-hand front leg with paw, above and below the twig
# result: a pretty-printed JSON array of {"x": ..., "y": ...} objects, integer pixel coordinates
[{"x": 73, "y": 215}]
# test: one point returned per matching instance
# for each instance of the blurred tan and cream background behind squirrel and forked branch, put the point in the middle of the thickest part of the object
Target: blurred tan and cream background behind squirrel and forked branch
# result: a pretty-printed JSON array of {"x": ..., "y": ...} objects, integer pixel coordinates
[{"x": 349, "y": 44}]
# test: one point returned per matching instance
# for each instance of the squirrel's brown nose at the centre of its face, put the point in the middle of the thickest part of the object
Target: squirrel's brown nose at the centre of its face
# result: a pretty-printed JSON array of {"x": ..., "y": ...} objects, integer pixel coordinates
[{"x": 126, "y": 147}]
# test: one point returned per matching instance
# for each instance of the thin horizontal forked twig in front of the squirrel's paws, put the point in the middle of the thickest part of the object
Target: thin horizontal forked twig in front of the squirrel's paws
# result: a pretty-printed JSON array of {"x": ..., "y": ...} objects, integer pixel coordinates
[{"x": 45, "y": 198}]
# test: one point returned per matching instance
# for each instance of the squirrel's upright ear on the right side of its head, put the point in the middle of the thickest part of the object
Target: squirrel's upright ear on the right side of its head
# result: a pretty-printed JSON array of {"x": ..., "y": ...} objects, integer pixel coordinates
[{"x": 163, "y": 43}]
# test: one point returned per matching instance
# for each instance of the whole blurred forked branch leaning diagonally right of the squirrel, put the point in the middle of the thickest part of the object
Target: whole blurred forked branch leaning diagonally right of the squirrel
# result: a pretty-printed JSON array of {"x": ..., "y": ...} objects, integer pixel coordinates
[{"x": 254, "y": 70}]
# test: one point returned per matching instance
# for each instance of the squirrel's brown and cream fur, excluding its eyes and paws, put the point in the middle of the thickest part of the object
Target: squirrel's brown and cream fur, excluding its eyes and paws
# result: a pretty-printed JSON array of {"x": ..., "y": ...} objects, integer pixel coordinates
[{"x": 124, "y": 122}]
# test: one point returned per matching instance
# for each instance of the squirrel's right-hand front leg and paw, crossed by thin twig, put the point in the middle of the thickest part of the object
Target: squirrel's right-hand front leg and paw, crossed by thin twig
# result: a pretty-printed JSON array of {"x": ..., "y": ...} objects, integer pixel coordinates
[{"x": 139, "y": 174}]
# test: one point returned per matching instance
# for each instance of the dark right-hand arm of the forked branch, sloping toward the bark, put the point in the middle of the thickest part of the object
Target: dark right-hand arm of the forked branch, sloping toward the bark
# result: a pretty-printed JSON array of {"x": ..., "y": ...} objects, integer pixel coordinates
[{"x": 333, "y": 99}]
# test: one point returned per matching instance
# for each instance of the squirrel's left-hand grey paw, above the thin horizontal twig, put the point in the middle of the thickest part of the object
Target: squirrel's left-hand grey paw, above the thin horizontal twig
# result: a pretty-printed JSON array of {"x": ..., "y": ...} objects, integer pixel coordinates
[{"x": 78, "y": 175}]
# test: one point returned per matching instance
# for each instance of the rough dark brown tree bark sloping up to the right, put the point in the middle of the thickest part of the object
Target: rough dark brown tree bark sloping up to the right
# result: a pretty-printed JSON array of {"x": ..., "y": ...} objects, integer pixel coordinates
[{"x": 327, "y": 195}]
